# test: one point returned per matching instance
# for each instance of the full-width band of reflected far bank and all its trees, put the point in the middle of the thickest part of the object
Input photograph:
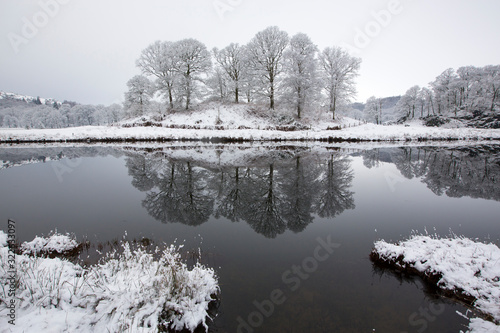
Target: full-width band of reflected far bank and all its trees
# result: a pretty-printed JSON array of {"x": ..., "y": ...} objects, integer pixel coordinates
[{"x": 274, "y": 189}]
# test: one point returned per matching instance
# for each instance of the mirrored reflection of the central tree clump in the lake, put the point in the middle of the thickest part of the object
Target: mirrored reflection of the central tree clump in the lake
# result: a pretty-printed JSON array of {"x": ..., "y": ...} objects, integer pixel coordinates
[{"x": 272, "y": 195}]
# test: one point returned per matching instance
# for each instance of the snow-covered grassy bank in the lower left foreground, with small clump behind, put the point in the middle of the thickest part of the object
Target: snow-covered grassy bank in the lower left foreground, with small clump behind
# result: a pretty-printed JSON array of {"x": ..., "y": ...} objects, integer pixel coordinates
[{"x": 132, "y": 291}]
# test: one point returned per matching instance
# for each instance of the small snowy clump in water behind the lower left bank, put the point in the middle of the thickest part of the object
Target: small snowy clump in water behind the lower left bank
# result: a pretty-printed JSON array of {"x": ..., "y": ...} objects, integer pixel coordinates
[{"x": 55, "y": 243}]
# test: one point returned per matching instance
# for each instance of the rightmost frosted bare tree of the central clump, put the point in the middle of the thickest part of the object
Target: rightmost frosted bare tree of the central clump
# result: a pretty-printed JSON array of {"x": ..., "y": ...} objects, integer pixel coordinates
[{"x": 339, "y": 70}]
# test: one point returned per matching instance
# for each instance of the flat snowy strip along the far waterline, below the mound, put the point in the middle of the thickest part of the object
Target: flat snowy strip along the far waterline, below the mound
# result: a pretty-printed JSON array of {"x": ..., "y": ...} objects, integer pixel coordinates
[{"x": 365, "y": 132}]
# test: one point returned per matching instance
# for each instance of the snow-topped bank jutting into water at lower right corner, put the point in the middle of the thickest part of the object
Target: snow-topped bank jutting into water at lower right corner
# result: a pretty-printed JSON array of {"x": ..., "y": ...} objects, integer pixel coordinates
[{"x": 466, "y": 269}]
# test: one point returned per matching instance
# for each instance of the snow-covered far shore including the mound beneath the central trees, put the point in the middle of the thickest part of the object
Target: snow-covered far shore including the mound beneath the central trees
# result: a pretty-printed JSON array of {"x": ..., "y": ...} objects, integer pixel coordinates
[{"x": 241, "y": 122}]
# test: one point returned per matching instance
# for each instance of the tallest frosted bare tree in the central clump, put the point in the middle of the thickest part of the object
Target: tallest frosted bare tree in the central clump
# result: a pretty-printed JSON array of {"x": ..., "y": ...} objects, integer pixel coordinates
[{"x": 266, "y": 58}]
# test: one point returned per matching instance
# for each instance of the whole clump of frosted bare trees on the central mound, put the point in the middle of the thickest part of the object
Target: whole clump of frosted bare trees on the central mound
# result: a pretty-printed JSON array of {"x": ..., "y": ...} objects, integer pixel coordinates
[{"x": 271, "y": 67}]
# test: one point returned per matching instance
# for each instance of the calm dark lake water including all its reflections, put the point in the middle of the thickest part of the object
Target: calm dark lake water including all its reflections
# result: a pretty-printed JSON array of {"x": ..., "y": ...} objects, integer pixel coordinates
[{"x": 288, "y": 229}]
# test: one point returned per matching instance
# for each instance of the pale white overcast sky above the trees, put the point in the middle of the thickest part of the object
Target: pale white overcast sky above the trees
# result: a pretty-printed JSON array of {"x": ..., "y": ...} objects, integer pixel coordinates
[{"x": 86, "y": 51}]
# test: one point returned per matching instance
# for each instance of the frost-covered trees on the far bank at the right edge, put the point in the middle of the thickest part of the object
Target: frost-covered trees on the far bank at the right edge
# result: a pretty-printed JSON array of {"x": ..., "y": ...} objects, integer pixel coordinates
[{"x": 467, "y": 90}]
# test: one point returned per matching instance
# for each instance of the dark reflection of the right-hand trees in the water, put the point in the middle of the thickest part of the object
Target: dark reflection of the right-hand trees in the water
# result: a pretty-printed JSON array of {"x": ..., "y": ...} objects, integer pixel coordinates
[{"x": 457, "y": 172}]
